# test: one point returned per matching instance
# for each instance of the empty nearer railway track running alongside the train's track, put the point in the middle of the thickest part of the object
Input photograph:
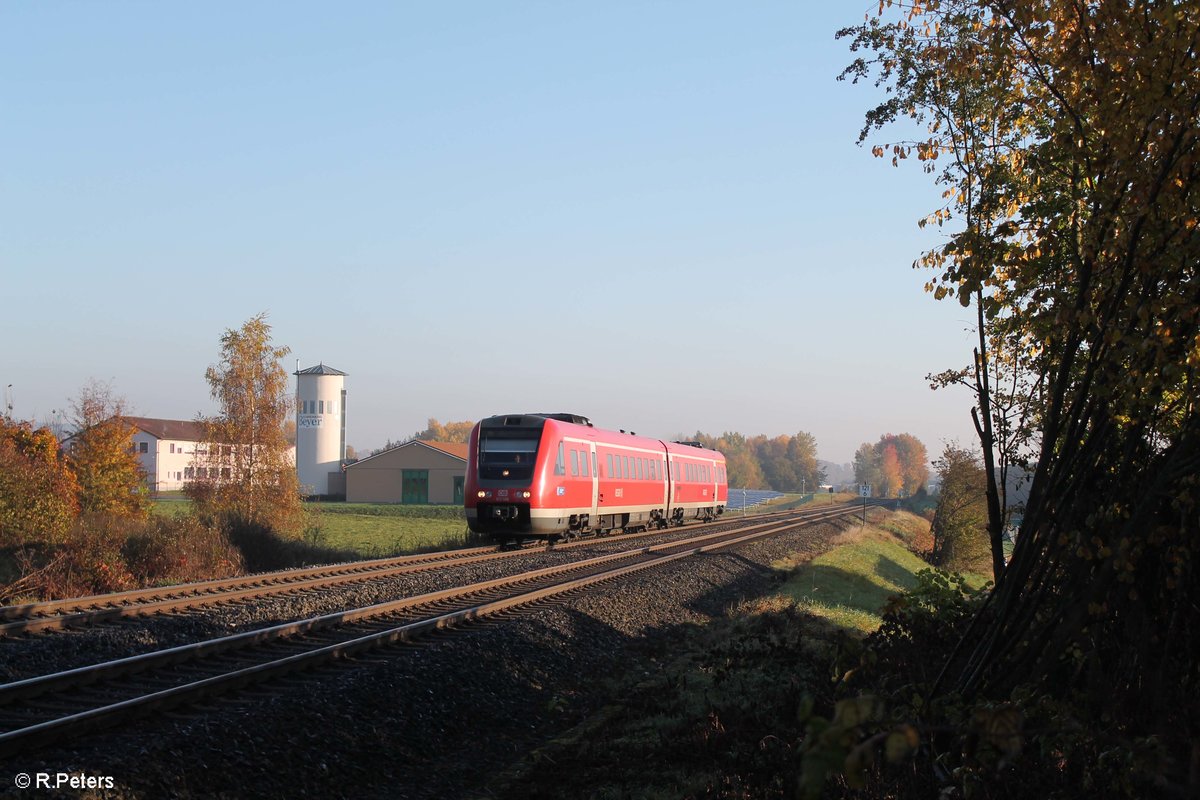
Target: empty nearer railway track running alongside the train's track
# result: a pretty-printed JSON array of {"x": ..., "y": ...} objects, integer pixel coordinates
[{"x": 55, "y": 707}]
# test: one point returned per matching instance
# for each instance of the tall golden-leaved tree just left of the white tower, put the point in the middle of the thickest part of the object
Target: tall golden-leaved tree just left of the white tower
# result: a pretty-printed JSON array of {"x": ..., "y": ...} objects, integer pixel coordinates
[{"x": 250, "y": 479}]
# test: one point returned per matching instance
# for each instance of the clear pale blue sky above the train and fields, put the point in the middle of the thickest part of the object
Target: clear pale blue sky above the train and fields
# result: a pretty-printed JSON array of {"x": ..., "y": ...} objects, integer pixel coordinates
[{"x": 653, "y": 214}]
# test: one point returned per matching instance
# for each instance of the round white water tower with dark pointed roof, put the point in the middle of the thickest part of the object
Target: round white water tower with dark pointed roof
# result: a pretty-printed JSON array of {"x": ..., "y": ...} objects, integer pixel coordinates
[{"x": 321, "y": 426}]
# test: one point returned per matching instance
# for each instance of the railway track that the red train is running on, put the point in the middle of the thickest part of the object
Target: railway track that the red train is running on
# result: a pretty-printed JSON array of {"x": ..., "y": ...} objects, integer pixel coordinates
[{"x": 82, "y": 612}]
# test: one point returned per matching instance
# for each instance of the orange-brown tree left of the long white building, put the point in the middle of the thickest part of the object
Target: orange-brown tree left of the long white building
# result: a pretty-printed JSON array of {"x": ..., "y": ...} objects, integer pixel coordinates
[{"x": 101, "y": 454}]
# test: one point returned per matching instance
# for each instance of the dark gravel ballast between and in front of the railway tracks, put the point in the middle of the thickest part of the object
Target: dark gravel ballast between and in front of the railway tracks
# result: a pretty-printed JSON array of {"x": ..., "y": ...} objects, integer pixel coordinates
[{"x": 431, "y": 720}]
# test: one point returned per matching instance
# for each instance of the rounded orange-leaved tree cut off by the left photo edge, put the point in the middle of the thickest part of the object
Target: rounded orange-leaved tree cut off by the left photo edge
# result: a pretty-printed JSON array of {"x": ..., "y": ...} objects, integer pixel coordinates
[{"x": 39, "y": 492}]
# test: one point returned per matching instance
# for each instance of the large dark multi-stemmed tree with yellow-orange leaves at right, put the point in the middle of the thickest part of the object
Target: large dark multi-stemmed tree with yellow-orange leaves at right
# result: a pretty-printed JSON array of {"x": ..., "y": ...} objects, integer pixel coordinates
[{"x": 1066, "y": 139}]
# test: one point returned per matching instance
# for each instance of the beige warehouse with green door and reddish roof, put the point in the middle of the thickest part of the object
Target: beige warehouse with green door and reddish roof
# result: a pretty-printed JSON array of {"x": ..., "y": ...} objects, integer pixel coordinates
[{"x": 413, "y": 473}]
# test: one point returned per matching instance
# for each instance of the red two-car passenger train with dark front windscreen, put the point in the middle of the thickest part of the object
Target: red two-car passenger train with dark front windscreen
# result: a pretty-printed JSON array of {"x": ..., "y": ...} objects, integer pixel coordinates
[{"x": 550, "y": 476}]
